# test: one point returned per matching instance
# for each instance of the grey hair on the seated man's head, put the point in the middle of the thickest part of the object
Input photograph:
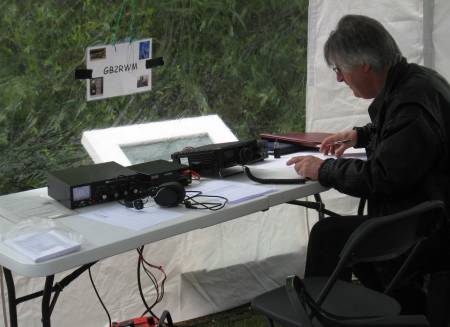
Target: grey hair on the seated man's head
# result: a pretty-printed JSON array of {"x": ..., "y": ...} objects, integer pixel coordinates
[{"x": 360, "y": 40}]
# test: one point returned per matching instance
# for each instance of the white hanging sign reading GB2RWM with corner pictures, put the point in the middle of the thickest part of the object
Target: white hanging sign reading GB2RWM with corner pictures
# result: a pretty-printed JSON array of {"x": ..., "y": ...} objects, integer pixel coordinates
[{"x": 118, "y": 69}]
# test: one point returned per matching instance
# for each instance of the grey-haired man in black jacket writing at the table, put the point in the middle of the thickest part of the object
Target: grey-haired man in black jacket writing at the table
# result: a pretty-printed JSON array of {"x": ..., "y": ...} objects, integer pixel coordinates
[{"x": 407, "y": 141}]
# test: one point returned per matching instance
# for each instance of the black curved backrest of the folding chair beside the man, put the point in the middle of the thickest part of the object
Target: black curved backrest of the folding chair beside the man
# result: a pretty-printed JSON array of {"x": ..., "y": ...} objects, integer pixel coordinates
[{"x": 389, "y": 237}]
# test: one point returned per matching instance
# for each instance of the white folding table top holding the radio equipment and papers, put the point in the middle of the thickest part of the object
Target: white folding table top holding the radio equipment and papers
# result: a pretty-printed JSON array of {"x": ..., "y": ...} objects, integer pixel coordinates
[{"x": 104, "y": 240}]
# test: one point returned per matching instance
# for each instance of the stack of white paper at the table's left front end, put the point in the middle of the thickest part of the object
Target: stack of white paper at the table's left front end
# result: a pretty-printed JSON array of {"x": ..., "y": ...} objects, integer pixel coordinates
[{"x": 43, "y": 245}]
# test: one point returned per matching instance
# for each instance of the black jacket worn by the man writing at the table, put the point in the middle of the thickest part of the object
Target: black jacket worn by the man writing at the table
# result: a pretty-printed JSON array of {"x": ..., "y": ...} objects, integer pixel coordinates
[{"x": 407, "y": 144}]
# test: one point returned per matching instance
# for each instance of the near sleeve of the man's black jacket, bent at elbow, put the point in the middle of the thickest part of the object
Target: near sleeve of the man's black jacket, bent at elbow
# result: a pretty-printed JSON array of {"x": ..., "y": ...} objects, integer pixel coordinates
[{"x": 408, "y": 148}]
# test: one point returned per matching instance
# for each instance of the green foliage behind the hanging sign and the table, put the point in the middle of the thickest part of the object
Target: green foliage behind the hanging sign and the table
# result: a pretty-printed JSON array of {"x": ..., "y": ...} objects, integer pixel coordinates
[{"x": 244, "y": 60}]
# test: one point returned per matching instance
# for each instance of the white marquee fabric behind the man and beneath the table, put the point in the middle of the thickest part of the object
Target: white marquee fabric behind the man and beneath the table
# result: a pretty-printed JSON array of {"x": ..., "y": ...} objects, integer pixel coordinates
[{"x": 224, "y": 266}]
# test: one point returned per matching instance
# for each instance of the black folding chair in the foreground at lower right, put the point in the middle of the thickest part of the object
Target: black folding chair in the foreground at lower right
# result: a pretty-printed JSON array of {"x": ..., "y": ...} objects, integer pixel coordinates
[{"x": 322, "y": 301}]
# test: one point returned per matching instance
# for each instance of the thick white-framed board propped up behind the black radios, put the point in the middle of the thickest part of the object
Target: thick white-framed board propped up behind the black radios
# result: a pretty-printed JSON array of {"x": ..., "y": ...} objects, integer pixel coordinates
[{"x": 133, "y": 144}]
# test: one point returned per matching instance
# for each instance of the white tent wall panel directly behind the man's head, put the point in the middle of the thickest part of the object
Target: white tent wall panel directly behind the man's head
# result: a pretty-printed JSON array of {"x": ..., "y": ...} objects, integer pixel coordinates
[{"x": 331, "y": 106}]
